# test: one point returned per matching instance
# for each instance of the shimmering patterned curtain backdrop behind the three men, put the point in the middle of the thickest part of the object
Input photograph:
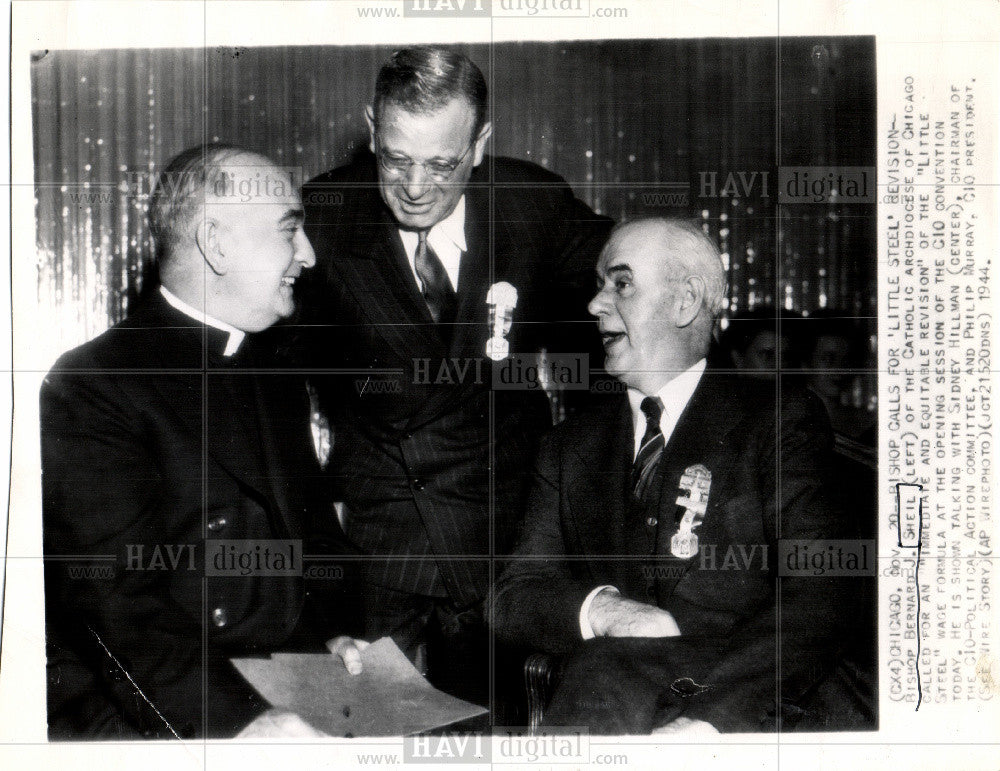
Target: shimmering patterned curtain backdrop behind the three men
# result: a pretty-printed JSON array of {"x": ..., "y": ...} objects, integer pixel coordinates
[{"x": 693, "y": 128}]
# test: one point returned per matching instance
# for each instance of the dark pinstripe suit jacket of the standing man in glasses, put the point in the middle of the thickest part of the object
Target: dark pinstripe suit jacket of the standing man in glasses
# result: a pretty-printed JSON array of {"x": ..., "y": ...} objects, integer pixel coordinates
[{"x": 430, "y": 460}]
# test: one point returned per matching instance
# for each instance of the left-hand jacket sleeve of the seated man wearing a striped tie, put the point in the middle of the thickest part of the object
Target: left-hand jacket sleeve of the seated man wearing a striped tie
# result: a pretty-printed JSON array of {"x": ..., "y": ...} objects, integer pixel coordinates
[{"x": 537, "y": 598}]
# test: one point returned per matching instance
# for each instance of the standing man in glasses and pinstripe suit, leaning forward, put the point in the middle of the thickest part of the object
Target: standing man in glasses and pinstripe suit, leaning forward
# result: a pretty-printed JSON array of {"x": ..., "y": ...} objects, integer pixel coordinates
[{"x": 430, "y": 460}]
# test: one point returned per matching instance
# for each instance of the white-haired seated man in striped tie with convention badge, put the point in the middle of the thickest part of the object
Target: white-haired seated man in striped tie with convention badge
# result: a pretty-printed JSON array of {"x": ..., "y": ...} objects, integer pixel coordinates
[{"x": 672, "y": 508}]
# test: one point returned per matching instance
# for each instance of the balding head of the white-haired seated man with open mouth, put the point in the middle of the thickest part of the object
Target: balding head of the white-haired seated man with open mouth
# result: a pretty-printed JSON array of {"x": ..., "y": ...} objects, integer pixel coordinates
[{"x": 661, "y": 287}]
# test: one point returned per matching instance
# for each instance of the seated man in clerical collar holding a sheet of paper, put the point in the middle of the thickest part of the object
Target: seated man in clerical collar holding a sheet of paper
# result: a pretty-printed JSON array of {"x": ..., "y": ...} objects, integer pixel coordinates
[{"x": 179, "y": 482}]
